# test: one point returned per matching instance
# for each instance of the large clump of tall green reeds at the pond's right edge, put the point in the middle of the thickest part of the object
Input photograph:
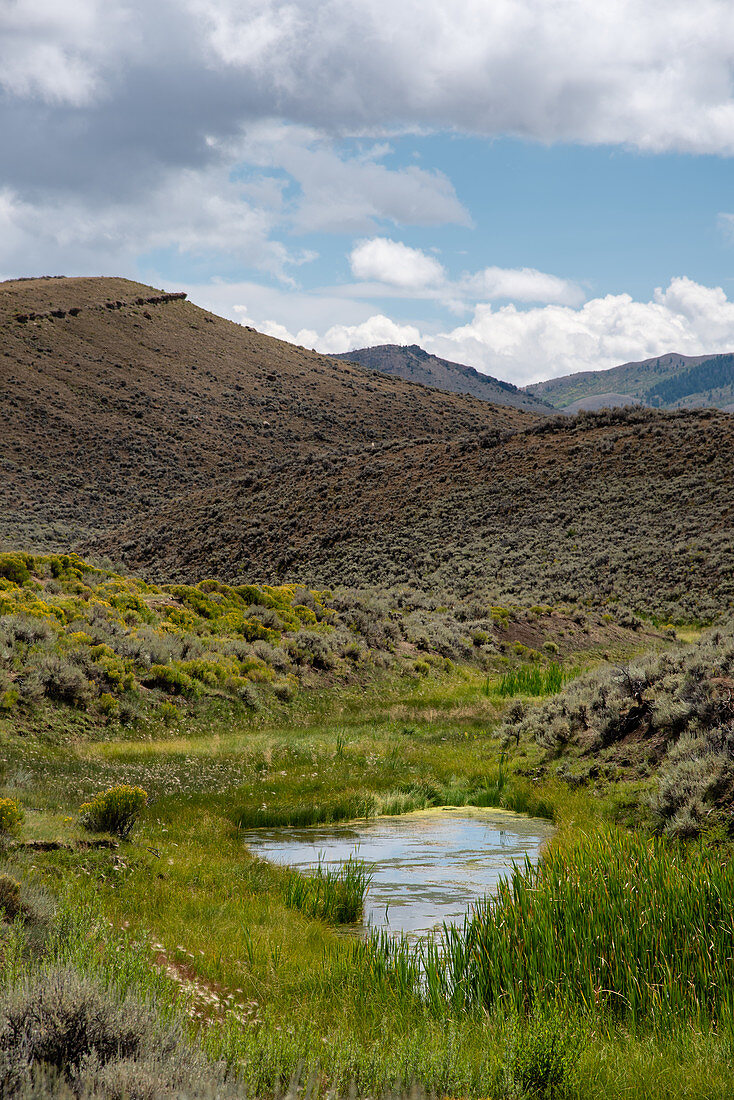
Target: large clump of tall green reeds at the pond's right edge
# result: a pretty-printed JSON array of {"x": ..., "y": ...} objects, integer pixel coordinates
[{"x": 618, "y": 923}]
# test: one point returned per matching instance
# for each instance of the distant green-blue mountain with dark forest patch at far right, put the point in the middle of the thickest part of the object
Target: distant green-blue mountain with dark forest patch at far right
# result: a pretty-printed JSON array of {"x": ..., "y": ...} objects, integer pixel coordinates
[{"x": 671, "y": 381}]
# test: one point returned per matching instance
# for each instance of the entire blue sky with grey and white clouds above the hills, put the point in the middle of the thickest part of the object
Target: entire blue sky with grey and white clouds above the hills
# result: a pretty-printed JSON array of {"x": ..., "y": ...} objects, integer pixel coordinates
[{"x": 529, "y": 186}]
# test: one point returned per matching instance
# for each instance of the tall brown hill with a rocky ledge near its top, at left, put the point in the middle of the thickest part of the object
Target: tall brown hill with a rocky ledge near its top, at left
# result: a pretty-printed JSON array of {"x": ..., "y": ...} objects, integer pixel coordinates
[{"x": 118, "y": 398}]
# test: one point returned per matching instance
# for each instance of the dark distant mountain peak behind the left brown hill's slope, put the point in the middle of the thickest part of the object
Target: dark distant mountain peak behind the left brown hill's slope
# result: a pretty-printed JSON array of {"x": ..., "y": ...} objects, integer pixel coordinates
[{"x": 414, "y": 365}]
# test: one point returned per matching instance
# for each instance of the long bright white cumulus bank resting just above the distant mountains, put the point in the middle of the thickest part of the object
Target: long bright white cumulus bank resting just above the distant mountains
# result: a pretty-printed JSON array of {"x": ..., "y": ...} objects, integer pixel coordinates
[{"x": 524, "y": 346}]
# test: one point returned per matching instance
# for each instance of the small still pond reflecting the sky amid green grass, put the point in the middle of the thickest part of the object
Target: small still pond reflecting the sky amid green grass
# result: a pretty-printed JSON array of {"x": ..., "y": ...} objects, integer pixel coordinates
[{"x": 429, "y": 867}]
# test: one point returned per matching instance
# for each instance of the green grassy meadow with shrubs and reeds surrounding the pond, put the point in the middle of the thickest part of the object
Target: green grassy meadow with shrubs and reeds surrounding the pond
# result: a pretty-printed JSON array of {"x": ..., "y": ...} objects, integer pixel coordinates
[{"x": 202, "y": 971}]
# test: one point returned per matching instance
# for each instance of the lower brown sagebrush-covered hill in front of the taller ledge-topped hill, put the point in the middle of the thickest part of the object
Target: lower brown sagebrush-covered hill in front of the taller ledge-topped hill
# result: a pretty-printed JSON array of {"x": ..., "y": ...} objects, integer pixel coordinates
[{"x": 631, "y": 507}]
